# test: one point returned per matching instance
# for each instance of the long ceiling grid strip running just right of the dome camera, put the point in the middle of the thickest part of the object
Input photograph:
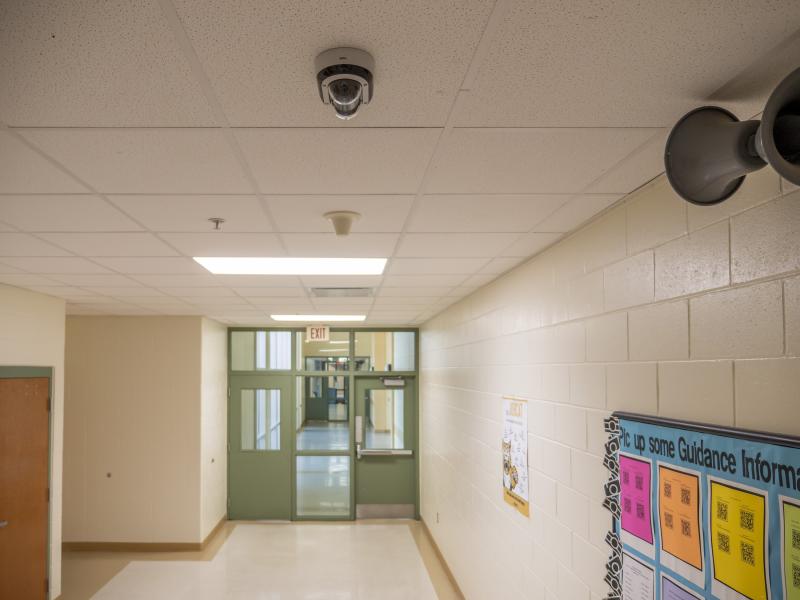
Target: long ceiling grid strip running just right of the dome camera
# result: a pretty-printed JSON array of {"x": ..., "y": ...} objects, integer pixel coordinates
[{"x": 489, "y": 31}]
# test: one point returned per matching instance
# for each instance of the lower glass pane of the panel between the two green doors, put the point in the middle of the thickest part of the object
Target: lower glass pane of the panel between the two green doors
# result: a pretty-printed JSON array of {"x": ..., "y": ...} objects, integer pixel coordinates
[{"x": 323, "y": 486}]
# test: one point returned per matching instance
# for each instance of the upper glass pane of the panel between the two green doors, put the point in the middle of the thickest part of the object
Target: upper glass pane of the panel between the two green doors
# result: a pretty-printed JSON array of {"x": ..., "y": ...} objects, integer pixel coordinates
[{"x": 323, "y": 412}]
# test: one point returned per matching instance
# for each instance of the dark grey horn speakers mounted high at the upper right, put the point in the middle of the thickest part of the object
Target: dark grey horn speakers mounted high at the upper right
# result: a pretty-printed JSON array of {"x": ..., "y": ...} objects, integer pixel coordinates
[{"x": 709, "y": 151}]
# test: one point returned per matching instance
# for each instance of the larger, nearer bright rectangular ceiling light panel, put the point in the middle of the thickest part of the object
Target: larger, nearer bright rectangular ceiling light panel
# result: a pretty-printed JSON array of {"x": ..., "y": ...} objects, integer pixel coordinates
[{"x": 258, "y": 265}]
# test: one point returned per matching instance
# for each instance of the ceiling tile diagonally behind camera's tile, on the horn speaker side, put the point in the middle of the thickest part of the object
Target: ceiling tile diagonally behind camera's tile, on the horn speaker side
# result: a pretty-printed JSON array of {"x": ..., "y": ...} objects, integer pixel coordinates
[{"x": 519, "y": 161}]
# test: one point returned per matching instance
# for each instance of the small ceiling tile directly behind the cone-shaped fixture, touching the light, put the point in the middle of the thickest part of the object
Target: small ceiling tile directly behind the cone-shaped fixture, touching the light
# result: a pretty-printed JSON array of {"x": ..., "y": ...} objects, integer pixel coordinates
[{"x": 363, "y": 245}]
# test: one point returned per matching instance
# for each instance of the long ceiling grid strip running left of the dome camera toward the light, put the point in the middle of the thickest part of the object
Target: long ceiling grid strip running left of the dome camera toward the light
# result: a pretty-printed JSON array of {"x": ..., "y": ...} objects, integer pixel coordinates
[{"x": 201, "y": 77}]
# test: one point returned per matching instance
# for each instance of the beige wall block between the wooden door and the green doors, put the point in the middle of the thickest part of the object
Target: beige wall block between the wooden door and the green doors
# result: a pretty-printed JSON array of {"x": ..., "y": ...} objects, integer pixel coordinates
[{"x": 135, "y": 405}]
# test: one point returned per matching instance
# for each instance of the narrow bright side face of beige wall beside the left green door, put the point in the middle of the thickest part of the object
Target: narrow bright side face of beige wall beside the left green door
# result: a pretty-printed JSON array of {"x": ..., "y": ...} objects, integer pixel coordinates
[{"x": 213, "y": 425}]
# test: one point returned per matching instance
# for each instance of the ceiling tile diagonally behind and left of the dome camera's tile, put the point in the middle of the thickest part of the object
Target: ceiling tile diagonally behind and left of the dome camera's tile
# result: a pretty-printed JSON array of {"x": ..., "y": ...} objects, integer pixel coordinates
[{"x": 146, "y": 161}]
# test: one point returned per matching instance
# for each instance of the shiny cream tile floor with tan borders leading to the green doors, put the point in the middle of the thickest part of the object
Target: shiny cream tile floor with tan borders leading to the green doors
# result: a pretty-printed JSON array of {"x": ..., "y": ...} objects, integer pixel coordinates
[{"x": 259, "y": 561}]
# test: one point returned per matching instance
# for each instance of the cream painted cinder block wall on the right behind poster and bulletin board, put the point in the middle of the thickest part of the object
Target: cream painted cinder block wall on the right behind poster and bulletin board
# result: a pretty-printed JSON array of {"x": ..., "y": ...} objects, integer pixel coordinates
[{"x": 657, "y": 307}]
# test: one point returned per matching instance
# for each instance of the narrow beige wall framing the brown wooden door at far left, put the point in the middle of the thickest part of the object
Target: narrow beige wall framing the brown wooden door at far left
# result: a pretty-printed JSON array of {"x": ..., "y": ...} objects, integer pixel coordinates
[{"x": 32, "y": 334}]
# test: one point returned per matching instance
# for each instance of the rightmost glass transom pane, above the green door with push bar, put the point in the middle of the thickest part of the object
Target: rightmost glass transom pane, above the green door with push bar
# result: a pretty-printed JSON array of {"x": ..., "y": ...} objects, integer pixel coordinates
[{"x": 385, "y": 351}]
